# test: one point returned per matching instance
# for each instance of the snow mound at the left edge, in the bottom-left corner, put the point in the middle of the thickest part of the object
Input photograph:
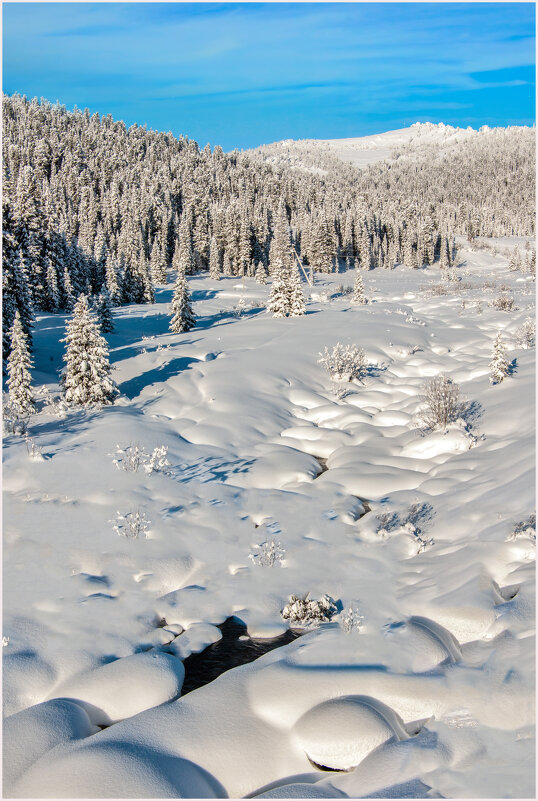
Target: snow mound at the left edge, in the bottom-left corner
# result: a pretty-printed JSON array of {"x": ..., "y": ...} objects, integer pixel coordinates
[{"x": 29, "y": 734}]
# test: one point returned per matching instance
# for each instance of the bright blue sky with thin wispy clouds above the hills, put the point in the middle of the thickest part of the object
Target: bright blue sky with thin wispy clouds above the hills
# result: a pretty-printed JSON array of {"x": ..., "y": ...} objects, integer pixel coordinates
[{"x": 240, "y": 74}]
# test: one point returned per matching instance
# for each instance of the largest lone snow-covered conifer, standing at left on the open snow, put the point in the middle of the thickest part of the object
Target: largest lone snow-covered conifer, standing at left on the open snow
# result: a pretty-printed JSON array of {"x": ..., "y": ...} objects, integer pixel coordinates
[{"x": 86, "y": 377}]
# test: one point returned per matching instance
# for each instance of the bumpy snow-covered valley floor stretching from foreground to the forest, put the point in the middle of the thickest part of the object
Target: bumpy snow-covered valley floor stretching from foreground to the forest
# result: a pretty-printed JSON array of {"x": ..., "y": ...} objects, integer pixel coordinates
[{"x": 427, "y": 684}]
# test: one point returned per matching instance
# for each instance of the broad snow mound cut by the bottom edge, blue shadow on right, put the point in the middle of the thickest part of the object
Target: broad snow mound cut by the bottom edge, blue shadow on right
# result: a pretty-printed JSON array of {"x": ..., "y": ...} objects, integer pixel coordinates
[{"x": 117, "y": 770}]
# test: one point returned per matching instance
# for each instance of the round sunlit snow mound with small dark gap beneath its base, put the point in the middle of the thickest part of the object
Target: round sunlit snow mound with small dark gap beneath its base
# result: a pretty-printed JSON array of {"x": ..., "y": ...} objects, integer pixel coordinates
[{"x": 340, "y": 733}]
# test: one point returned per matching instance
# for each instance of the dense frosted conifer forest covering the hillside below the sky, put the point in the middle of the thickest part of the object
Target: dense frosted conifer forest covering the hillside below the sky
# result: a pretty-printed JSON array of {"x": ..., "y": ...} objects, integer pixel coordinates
[{"x": 90, "y": 206}]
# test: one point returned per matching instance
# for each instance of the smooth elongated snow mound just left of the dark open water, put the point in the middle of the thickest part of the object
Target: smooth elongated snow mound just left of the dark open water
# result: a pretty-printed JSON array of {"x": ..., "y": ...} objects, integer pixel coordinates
[{"x": 126, "y": 686}]
